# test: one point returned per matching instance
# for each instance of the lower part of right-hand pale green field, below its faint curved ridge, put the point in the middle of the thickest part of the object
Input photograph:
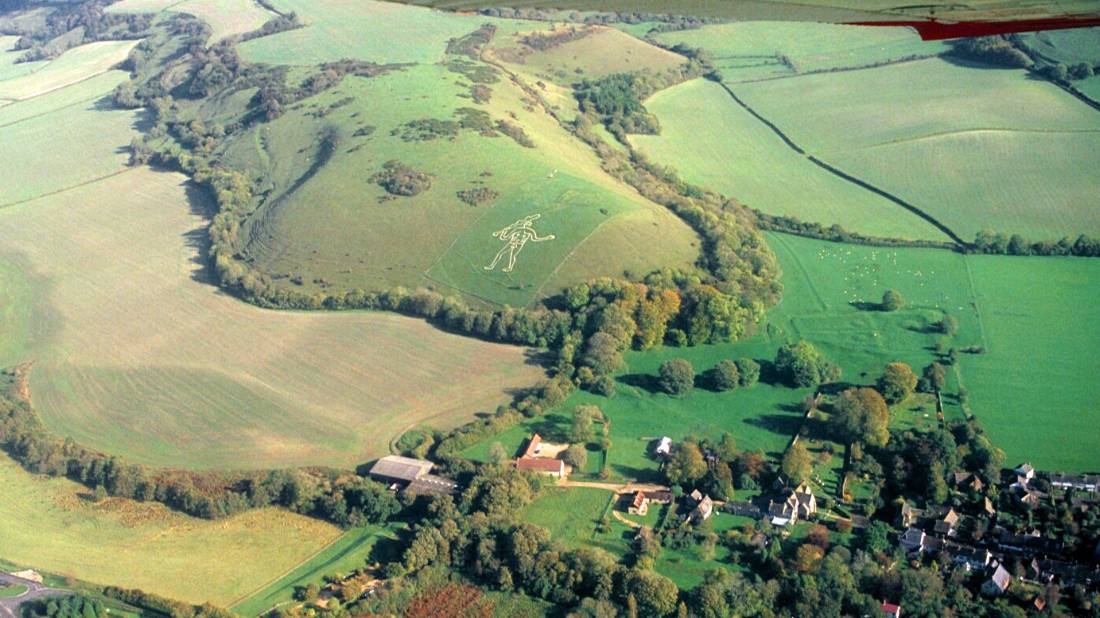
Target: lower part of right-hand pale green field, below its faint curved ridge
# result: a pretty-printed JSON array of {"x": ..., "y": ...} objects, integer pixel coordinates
[{"x": 1040, "y": 185}]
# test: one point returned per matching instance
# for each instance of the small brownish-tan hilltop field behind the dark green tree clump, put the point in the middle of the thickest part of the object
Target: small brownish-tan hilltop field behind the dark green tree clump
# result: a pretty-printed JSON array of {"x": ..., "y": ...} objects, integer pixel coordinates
[{"x": 602, "y": 52}]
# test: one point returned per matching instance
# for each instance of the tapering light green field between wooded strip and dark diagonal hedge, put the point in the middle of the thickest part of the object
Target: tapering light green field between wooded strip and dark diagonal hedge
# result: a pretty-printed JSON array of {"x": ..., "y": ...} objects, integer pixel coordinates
[{"x": 716, "y": 144}]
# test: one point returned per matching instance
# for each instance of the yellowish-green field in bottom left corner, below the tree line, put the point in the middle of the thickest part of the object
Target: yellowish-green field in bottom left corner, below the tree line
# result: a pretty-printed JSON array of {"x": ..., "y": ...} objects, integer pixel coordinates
[{"x": 146, "y": 546}]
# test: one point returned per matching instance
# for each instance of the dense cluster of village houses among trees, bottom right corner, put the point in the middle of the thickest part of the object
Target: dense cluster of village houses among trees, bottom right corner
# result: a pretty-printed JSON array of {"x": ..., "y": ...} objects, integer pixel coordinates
[{"x": 985, "y": 547}]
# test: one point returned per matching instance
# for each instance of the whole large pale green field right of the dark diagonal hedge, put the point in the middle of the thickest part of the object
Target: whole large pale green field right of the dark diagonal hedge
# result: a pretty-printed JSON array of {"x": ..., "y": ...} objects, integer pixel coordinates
[{"x": 877, "y": 125}]
